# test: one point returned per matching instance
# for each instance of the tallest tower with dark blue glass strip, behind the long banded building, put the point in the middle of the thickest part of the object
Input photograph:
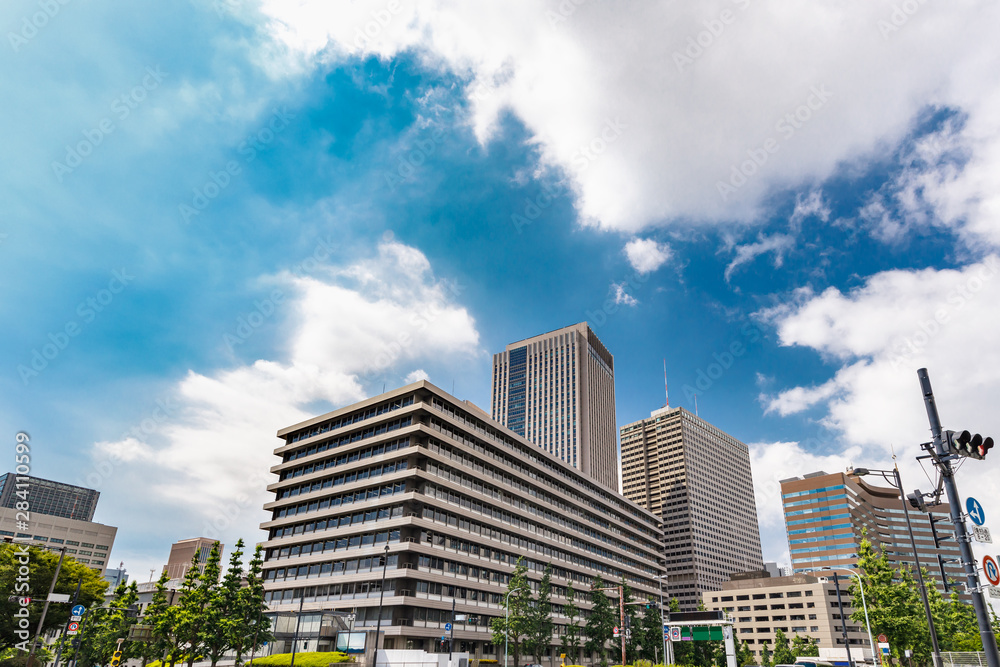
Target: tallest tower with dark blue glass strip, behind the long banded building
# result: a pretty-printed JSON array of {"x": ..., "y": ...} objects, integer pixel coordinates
[{"x": 557, "y": 390}]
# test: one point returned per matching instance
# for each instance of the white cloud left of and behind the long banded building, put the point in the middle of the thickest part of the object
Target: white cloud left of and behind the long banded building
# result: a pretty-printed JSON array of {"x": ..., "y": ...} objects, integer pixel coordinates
[{"x": 202, "y": 468}]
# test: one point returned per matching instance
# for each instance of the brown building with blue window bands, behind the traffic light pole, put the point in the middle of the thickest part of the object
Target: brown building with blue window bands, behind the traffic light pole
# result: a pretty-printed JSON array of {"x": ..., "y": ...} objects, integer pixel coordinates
[{"x": 825, "y": 515}]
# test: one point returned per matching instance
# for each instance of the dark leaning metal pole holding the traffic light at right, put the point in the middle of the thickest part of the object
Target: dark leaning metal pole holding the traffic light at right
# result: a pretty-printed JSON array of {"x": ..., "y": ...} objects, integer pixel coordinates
[{"x": 943, "y": 464}]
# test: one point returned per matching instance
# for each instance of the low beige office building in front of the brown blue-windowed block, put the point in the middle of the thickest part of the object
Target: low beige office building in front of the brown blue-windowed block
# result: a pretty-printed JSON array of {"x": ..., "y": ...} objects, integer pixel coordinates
[{"x": 800, "y": 605}]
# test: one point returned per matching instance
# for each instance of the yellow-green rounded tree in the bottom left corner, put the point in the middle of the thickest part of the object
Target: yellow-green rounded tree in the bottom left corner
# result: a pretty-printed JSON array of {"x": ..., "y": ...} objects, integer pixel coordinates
[{"x": 41, "y": 568}]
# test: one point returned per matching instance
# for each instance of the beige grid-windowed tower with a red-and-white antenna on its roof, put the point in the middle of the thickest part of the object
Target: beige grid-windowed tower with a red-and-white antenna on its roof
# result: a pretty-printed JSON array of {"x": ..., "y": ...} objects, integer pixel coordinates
[{"x": 697, "y": 479}]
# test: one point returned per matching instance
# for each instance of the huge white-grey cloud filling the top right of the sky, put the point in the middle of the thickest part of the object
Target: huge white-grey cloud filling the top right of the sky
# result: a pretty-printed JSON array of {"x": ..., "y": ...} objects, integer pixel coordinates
[{"x": 647, "y": 133}]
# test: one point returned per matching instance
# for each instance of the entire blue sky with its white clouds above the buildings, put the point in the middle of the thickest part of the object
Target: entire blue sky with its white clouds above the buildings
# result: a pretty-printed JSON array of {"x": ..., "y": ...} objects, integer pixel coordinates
[{"x": 238, "y": 208}]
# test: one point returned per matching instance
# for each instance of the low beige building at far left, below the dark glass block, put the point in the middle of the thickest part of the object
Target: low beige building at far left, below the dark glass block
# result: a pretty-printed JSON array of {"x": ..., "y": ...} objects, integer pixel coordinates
[{"x": 88, "y": 542}]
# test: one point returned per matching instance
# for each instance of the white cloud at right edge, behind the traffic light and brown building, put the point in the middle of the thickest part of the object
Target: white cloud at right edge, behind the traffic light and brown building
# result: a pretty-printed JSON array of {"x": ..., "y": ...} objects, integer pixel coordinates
[{"x": 880, "y": 334}]
